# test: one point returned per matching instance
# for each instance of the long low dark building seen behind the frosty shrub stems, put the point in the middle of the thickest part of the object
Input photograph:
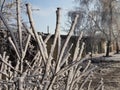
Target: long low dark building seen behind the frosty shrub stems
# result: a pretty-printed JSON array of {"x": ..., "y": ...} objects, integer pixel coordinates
[{"x": 94, "y": 45}]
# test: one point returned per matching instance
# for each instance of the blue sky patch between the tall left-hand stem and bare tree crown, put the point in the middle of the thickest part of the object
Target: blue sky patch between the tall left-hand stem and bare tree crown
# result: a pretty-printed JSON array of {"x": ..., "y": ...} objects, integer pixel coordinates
[{"x": 44, "y": 13}]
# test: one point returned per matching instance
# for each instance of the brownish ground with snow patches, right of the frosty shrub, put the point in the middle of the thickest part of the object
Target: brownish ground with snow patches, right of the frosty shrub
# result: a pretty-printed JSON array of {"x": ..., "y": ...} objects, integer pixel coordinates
[{"x": 108, "y": 69}]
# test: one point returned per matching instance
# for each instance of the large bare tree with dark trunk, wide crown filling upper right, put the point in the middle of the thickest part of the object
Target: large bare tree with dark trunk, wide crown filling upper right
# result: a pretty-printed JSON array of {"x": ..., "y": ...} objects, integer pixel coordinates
[{"x": 97, "y": 16}]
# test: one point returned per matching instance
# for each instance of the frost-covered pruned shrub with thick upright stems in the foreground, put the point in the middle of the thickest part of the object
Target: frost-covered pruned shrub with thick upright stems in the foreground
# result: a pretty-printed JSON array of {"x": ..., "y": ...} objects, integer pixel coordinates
[{"x": 37, "y": 64}]
